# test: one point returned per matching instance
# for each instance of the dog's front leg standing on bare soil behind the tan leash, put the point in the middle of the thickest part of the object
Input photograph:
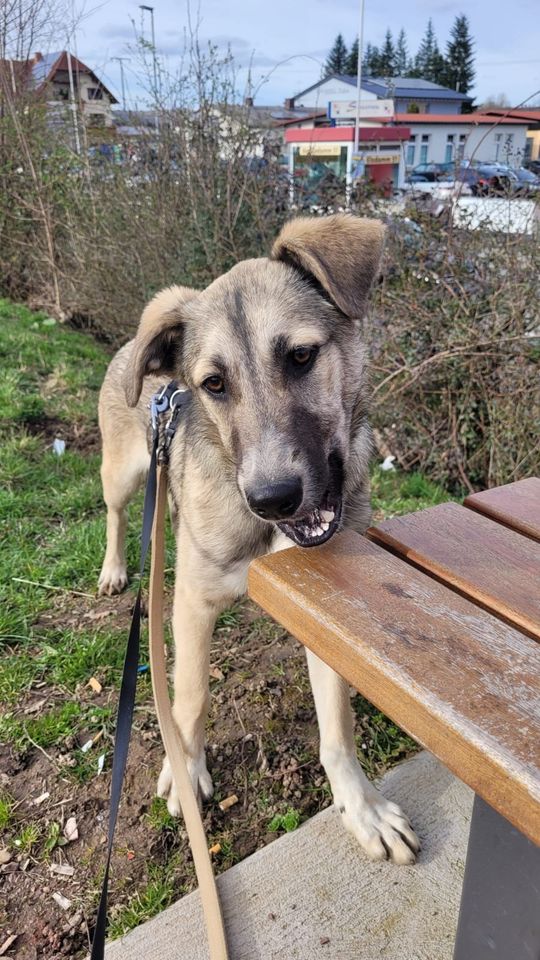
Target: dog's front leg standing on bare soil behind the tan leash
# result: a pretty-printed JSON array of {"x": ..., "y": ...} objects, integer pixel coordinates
[{"x": 194, "y": 617}]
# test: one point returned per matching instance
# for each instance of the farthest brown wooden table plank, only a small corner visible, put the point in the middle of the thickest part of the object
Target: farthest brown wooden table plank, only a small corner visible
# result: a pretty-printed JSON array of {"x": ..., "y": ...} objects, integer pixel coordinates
[{"x": 516, "y": 505}]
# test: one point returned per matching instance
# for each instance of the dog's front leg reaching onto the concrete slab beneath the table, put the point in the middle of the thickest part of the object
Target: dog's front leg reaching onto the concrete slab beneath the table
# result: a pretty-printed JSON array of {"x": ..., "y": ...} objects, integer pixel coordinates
[{"x": 379, "y": 825}]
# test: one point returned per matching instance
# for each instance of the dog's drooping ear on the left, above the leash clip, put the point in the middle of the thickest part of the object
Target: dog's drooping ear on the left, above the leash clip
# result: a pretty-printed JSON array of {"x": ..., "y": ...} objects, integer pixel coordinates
[{"x": 158, "y": 343}]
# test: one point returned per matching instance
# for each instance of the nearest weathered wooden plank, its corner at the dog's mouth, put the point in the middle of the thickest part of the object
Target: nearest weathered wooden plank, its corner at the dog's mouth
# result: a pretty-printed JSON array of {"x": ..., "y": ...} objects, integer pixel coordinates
[{"x": 463, "y": 684}]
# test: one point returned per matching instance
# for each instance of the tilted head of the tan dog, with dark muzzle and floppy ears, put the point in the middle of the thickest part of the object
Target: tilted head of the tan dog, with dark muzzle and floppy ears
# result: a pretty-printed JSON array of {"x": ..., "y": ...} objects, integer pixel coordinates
[{"x": 273, "y": 354}]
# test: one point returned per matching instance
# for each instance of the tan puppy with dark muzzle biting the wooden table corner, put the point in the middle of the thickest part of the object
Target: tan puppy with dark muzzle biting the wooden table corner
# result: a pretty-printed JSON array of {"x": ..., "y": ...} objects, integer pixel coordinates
[{"x": 273, "y": 450}]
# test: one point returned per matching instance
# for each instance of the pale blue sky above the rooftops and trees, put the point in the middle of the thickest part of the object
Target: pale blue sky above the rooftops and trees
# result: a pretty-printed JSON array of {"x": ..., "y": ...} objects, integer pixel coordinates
[{"x": 287, "y": 41}]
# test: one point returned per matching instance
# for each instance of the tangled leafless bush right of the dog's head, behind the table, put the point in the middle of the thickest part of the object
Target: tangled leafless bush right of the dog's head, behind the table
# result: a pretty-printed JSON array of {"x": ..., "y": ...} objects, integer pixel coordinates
[{"x": 456, "y": 350}]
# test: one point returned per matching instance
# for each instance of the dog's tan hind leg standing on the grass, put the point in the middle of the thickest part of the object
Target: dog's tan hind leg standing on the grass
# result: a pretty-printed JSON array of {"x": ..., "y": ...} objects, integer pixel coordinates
[{"x": 124, "y": 467}]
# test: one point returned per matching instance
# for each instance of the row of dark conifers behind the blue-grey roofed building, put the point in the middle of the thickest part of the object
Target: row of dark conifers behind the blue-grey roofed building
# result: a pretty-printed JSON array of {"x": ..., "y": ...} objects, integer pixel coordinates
[{"x": 454, "y": 68}]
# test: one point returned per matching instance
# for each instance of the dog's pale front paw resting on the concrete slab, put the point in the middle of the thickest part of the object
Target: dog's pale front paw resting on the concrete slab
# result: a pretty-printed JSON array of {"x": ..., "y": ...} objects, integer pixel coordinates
[{"x": 381, "y": 828}]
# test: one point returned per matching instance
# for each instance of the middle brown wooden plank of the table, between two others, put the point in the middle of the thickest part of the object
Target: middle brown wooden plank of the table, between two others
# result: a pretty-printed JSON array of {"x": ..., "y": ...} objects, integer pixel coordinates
[{"x": 486, "y": 561}]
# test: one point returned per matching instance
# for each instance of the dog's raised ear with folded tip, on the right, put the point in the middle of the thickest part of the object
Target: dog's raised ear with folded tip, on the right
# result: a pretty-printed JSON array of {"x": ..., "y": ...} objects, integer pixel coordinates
[{"x": 342, "y": 252}]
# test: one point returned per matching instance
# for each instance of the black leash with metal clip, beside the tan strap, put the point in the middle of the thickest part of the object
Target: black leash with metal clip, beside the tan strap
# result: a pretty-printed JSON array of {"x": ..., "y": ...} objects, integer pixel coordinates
[{"x": 172, "y": 399}]
